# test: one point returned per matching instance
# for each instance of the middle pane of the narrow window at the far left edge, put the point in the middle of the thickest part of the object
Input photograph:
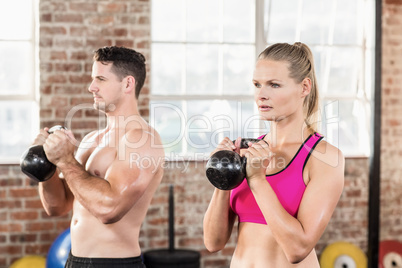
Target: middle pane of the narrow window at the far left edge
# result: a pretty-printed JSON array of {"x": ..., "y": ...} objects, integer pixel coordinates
[{"x": 16, "y": 68}]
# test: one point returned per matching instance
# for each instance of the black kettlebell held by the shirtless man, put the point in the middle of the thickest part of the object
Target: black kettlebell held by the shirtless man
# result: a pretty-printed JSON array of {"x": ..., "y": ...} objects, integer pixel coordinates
[{"x": 34, "y": 162}]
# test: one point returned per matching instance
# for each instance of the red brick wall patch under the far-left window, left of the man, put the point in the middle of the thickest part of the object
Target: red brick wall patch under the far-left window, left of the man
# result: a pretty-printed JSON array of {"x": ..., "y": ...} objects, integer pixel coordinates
[{"x": 25, "y": 229}]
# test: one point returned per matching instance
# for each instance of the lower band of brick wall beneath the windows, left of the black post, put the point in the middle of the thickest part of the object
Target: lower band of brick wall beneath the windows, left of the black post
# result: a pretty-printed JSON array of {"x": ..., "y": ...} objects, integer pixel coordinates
[{"x": 25, "y": 228}]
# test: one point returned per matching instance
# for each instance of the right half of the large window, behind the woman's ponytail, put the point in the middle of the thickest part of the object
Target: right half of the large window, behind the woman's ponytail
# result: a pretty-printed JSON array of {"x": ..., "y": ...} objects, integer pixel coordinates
[{"x": 340, "y": 34}]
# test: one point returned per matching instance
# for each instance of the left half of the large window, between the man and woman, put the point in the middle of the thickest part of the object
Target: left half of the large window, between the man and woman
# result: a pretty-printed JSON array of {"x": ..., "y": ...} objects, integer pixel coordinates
[{"x": 202, "y": 62}]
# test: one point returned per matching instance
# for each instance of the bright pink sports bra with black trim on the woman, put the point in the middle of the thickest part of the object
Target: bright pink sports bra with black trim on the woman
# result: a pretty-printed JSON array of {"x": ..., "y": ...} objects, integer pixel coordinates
[{"x": 288, "y": 185}]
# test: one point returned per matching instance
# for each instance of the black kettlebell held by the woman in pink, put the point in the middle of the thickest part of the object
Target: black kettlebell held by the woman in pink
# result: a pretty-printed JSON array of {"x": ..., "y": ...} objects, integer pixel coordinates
[{"x": 227, "y": 169}]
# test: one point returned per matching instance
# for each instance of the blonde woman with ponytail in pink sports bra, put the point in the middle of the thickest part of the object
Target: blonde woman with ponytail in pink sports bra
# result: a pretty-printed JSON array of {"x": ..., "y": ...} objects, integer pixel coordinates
[{"x": 293, "y": 184}]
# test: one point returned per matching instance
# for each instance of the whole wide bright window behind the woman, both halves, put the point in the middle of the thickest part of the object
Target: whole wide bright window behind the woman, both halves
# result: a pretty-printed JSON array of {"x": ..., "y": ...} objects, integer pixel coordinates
[{"x": 203, "y": 55}]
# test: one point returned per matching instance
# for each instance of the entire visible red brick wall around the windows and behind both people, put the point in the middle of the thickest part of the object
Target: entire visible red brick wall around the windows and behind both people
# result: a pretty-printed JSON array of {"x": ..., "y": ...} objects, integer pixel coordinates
[{"x": 69, "y": 32}]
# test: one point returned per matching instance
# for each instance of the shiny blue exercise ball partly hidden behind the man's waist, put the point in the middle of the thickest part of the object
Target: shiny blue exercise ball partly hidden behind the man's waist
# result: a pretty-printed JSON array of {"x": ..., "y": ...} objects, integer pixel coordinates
[{"x": 59, "y": 251}]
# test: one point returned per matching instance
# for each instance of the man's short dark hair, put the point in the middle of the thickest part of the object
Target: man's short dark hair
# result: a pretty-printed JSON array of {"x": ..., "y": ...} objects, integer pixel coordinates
[{"x": 126, "y": 62}]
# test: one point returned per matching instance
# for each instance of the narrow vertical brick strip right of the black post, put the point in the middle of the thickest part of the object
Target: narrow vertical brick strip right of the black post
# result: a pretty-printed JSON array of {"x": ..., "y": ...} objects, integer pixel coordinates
[{"x": 391, "y": 150}]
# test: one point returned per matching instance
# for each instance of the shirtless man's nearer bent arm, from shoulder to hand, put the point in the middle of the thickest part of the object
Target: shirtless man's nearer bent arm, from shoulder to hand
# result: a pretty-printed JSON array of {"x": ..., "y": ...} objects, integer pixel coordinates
[{"x": 109, "y": 198}]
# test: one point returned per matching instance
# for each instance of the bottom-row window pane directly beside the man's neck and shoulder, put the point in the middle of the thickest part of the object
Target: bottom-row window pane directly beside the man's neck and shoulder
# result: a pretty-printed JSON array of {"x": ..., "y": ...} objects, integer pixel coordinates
[{"x": 167, "y": 117}]
